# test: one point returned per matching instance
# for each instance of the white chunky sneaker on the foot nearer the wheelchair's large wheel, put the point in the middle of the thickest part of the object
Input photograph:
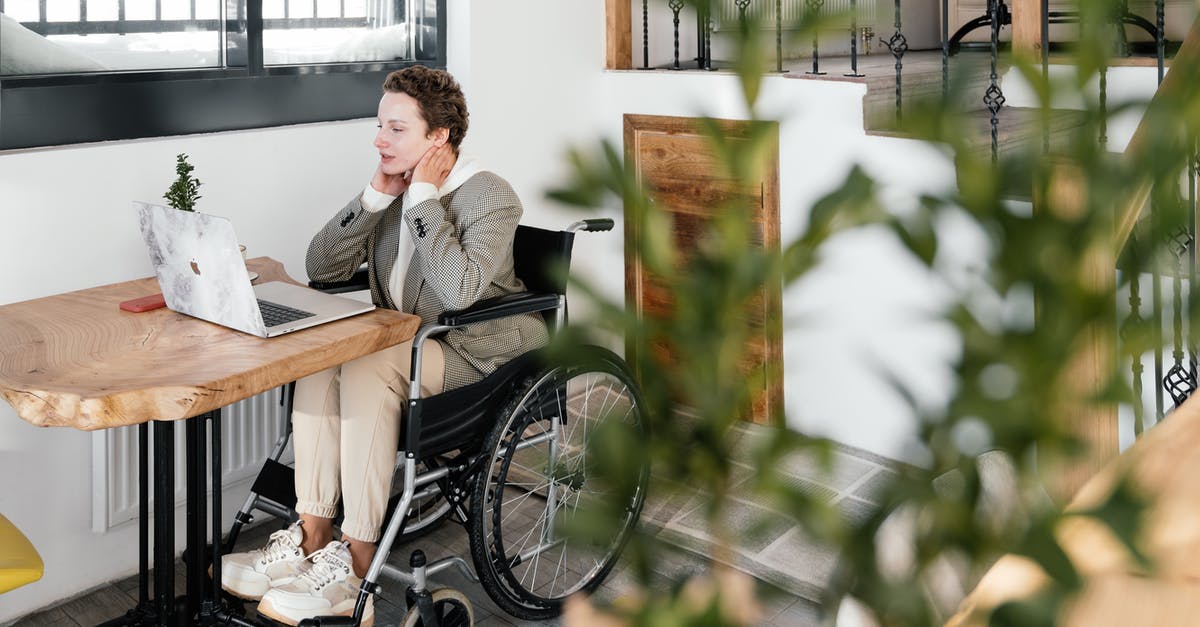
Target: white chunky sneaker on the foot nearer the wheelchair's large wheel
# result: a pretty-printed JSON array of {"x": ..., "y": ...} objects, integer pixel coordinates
[{"x": 327, "y": 589}]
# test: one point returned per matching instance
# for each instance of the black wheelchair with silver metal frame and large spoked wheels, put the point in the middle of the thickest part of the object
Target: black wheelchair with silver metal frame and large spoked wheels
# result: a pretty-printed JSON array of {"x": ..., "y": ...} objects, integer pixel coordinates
[{"x": 507, "y": 458}]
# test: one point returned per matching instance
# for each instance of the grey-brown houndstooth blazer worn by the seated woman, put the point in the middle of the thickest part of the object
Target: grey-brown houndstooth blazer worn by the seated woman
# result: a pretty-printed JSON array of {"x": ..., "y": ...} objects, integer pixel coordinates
[{"x": 464, "y": 254}]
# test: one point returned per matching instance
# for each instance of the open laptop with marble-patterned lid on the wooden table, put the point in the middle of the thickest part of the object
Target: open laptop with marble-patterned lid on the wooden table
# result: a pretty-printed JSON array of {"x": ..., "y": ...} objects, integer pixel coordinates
[{"x": 202, "y": 274}]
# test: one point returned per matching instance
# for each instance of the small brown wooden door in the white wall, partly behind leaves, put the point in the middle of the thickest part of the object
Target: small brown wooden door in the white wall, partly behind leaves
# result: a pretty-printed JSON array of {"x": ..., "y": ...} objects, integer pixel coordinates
[{"x": 675, "y": 163}]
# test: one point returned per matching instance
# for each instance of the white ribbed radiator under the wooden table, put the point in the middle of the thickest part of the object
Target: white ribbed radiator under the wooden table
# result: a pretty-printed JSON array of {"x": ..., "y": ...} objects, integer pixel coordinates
[{"x": 249, "y": 432}]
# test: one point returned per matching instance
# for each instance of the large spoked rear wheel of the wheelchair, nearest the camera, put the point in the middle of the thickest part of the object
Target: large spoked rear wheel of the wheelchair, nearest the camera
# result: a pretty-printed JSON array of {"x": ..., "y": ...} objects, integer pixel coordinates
[{"x": 537, "y": 477}]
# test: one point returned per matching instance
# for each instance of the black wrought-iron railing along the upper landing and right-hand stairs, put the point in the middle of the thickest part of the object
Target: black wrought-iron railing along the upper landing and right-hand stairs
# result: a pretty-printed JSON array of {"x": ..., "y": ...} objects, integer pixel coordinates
[{"x": 1156, "y": 296}]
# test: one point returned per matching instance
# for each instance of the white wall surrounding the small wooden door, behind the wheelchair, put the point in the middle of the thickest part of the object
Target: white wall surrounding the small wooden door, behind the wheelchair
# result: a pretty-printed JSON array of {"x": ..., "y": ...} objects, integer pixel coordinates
[{"x": 867, "y": 308}]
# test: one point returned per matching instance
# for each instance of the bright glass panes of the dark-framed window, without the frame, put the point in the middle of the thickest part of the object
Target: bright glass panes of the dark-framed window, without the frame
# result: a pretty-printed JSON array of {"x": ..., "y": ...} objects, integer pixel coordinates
[{"x": 93, "y": 37}]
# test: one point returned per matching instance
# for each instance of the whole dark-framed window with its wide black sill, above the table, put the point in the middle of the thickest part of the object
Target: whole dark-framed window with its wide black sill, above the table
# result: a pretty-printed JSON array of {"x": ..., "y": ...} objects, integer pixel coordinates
[{"x": 77, "y": 71}]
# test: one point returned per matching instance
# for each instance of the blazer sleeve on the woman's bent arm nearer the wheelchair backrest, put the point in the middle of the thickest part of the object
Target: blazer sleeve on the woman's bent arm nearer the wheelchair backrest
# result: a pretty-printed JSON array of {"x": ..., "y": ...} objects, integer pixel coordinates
[{"x": 461, "y": 258}]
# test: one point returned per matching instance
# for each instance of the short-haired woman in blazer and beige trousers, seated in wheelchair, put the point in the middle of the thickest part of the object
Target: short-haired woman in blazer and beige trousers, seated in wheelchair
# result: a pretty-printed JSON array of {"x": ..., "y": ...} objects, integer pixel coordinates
[{"x": 436, "y": 232}]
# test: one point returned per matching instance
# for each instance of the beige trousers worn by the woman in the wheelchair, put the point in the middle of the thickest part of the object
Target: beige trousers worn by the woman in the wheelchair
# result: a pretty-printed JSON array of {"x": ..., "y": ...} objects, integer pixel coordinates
[{"x": 346, "y": 432}]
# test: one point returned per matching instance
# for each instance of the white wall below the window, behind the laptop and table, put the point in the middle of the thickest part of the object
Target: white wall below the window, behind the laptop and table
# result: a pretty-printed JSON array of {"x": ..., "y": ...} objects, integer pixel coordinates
[{"x": 69, "y": 225}]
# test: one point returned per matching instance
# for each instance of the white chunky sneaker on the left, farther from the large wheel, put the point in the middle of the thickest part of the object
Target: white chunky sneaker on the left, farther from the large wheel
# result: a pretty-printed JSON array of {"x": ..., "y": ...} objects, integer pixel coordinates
[{"x": 251, "y": 575}]
